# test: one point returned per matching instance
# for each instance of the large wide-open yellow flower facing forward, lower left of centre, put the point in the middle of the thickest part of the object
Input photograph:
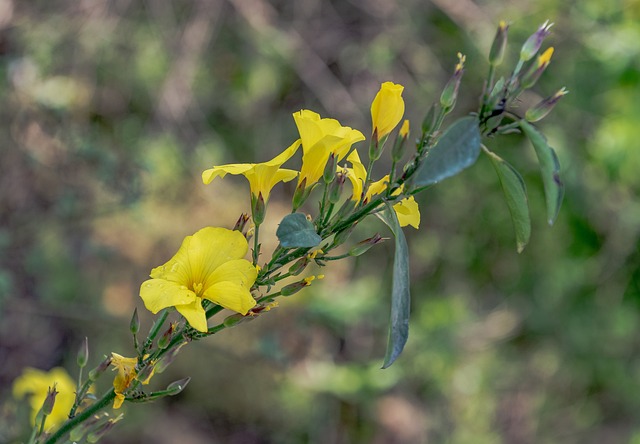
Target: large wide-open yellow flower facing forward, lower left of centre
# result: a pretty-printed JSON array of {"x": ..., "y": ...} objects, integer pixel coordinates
[{"x": 208, "y": 265}]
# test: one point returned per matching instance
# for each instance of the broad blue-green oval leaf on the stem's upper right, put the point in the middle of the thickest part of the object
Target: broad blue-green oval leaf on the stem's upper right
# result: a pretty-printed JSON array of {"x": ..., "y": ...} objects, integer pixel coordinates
[{"x": 457, "y": 149}]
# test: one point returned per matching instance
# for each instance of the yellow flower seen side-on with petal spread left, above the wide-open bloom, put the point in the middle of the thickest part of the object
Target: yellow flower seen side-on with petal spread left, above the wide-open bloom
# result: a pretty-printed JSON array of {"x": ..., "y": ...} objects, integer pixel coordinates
[{"x": 262, "y": 177}]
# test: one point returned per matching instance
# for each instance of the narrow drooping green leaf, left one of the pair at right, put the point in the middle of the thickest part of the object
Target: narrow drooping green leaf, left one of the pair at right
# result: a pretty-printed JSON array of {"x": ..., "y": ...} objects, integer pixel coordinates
[{"x": 515, "y": 194}]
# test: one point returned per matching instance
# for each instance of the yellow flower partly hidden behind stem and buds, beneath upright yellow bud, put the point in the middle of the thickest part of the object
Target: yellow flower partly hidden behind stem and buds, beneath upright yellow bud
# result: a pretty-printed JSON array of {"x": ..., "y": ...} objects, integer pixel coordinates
[{"x": 407, "y": 209}]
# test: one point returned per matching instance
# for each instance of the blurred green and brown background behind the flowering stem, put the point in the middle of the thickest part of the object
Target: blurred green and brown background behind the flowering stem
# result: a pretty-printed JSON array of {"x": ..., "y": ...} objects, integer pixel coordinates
[{"x": 111, "y": 110}]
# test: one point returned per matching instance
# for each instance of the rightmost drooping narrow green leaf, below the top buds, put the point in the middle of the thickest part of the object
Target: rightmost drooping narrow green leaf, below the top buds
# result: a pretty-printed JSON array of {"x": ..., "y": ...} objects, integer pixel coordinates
[{"x": 550, "y": 168}]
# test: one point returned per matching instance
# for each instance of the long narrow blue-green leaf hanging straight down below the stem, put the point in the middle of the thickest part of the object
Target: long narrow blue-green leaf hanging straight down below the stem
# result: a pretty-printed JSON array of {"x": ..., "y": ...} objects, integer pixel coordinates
[{"x": 400, "y": 293}]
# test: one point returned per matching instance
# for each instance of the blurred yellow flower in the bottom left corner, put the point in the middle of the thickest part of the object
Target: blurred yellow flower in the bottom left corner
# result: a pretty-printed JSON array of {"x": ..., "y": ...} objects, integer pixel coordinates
[{"x": 36, "y": 383}]
